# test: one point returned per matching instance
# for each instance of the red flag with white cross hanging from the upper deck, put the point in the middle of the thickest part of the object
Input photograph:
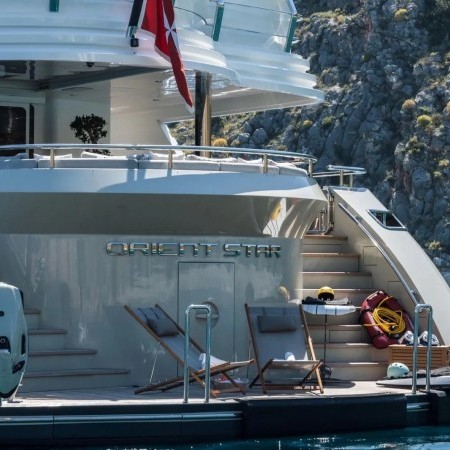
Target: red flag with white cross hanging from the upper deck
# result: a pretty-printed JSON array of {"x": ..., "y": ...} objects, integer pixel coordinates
[{"x": 159, "y": 19}]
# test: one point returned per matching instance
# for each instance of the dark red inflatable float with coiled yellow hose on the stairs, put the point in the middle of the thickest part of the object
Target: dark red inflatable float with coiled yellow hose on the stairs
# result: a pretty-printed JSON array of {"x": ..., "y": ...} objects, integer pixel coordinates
[{"x": 384, "y": 319}]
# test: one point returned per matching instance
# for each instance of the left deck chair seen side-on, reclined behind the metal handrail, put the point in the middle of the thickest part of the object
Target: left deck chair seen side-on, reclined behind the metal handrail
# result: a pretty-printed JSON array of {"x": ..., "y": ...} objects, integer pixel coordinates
[{"x": 172, "y": 338}]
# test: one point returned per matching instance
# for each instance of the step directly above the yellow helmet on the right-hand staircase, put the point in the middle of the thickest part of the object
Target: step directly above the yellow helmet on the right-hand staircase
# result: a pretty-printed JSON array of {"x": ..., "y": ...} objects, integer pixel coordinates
[{"x": 337, "y": 280}]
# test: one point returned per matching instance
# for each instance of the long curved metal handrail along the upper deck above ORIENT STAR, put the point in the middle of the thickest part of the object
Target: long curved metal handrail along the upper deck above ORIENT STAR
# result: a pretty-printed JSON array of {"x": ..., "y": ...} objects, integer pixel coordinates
[{"x": 292, "y": 157}]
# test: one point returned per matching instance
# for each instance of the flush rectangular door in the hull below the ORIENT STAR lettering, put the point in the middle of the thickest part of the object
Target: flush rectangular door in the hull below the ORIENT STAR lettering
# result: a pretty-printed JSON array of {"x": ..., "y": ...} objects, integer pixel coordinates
[{"x": 211, "y": 284}]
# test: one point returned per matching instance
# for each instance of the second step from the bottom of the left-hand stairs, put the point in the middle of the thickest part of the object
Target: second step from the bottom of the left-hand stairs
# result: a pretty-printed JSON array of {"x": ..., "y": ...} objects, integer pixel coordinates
[{"x": 57, "y": 358}]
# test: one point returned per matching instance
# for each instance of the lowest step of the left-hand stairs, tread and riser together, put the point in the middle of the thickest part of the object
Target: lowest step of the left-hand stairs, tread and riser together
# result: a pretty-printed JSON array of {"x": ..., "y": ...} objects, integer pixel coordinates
[{"x": 50, "y": 380}]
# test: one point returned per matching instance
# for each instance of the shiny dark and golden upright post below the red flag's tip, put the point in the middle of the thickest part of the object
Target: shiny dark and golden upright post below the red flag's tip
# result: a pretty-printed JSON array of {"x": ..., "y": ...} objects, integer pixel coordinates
[{"x": 203, "y": 110}]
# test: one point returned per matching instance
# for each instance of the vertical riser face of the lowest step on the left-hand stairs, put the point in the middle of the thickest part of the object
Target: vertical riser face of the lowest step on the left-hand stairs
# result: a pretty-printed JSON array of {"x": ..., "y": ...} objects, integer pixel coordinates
[{"x": 33, "y": 384}]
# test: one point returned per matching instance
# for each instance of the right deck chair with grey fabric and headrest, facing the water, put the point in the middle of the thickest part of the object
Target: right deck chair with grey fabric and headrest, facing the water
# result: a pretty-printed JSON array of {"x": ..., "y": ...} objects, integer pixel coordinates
[{"x": 283, "y": 348}]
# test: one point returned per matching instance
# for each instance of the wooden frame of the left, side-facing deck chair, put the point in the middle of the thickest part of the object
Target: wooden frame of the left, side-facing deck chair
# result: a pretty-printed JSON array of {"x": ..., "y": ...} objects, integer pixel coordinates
[{"x": 195, "y": 374}]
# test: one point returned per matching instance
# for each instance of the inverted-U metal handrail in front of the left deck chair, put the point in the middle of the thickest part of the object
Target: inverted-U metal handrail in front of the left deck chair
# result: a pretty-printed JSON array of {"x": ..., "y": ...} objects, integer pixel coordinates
[{"x": 208, "y": 352}]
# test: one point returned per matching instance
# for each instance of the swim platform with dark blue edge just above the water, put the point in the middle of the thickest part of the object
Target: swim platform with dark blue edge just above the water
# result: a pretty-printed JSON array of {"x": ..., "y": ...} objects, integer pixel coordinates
[{"x": 117, "y": 415}]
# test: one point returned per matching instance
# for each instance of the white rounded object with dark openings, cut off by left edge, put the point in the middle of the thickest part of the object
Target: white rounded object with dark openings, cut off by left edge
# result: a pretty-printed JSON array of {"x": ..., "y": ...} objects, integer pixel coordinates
[{"x": 13, "y": 340}]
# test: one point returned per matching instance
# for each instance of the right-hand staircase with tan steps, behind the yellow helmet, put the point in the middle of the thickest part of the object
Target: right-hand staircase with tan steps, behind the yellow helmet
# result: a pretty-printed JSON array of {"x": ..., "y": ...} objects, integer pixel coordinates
[{"x": 349, "y": 352}]
